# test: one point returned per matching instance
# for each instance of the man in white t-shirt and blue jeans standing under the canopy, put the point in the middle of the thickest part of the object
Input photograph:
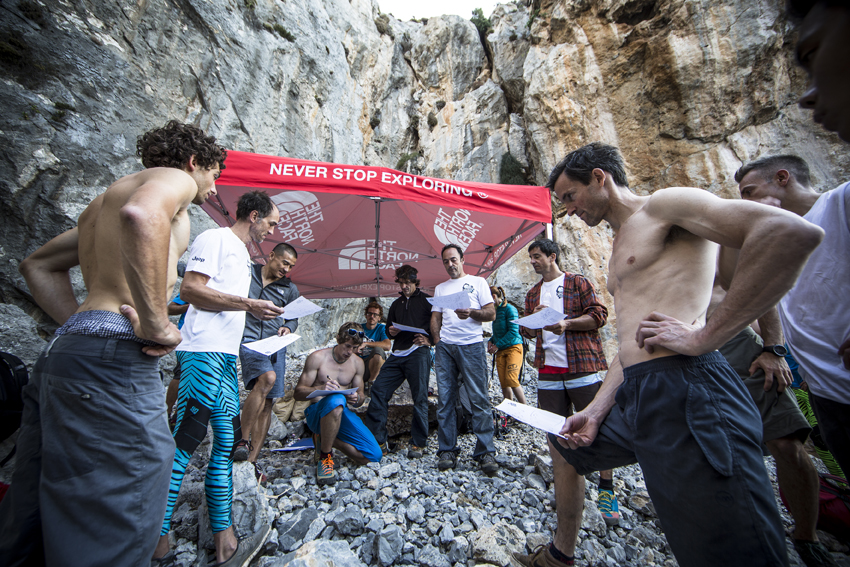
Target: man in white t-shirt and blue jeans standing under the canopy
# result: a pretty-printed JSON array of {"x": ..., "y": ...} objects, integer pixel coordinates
[{"x": 461, "y": 355}]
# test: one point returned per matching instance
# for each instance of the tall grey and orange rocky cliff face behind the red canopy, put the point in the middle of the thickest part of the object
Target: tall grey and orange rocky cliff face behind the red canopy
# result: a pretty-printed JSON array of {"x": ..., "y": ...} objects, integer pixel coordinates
[{"x": 687, "y": 89}]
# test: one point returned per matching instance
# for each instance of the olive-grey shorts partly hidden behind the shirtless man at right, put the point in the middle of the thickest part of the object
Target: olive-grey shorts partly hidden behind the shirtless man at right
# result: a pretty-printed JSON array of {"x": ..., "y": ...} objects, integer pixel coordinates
[{"x": 779, "y": 412}]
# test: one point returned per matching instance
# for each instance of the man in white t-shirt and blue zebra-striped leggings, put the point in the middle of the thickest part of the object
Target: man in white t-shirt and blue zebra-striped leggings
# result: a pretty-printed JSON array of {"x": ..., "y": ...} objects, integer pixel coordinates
[{"x": 216, "y": 284}]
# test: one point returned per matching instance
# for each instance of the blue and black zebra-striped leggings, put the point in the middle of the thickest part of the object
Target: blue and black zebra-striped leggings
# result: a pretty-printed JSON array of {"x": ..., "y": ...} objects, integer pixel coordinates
[{"x": 208, "y": 394}]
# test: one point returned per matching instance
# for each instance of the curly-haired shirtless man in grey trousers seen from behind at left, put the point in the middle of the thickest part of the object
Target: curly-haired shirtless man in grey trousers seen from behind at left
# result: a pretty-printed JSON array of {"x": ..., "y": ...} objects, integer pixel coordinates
[{"x": 95, "y": 398}]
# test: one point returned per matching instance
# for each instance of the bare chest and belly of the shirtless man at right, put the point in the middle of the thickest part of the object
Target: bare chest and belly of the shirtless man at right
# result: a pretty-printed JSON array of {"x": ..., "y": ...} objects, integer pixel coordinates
[{"x": 657, "y": 266}]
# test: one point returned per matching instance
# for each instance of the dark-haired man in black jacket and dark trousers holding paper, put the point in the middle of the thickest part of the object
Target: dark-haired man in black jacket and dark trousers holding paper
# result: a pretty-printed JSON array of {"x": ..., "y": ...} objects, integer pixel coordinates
[{"x": 410, "y": 360}]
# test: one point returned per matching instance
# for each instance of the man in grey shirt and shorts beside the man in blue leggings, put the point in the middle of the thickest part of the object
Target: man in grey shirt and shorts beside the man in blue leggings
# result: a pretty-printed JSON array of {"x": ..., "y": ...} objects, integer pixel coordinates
[{"x": 265, "y": 375}]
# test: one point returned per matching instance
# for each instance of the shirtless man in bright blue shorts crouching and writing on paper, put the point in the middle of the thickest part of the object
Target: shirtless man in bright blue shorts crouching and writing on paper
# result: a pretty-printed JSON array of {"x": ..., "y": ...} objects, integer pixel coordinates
[{"x": 332, "y": 423}]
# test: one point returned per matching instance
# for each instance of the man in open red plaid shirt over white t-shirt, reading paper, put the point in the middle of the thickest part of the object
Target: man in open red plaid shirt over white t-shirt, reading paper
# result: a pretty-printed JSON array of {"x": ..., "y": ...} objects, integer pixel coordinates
[{"x": 569, "y": 359}]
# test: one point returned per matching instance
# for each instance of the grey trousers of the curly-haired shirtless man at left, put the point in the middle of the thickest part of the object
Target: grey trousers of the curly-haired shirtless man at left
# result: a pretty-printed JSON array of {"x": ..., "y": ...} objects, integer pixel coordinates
[{"x": 95, "y": 410}]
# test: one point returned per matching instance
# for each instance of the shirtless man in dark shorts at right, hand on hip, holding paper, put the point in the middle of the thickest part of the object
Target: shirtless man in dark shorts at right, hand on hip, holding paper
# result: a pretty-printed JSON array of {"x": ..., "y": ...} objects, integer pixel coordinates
[{"x": 681, "y": 411}]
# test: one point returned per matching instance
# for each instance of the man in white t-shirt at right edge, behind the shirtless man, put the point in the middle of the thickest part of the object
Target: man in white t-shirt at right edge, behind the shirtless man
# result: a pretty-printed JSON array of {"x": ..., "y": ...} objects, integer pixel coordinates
[{"x": 814, "y": 313}]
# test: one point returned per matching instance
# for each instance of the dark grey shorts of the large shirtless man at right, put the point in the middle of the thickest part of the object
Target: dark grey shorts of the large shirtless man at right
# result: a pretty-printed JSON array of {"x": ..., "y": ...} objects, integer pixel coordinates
[{"x": 696, "y": 433}]
